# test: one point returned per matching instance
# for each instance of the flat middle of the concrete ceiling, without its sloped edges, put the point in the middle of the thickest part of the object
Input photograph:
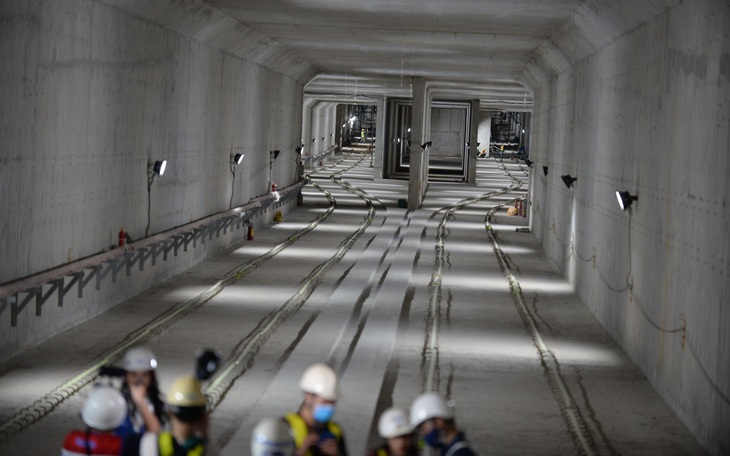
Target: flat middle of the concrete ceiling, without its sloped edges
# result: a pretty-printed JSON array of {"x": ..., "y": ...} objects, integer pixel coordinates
[{"x": 472, "y": 48}]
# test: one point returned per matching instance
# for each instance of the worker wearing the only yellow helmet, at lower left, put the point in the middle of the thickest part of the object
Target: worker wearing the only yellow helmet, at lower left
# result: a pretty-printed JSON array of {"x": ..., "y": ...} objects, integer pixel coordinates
[{"x": 186, "y": 407}]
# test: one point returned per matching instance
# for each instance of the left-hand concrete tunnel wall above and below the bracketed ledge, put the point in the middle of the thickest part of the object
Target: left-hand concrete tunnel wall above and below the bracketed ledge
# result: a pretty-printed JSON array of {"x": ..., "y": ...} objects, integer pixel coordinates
[{"x": 91, "y": 94}]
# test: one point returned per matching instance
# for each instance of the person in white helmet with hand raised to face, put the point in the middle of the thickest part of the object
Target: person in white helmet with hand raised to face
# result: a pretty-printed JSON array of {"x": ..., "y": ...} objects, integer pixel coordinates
[{"x": 146, "y": 410}]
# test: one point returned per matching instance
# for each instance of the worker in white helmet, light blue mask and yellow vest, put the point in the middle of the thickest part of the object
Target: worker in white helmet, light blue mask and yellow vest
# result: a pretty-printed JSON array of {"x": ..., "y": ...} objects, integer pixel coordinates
[{"x": 313, "y": 429}]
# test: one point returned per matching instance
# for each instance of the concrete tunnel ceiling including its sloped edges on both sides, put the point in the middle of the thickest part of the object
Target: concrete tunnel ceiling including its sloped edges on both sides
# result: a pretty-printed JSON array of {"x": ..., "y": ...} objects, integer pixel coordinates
[{"x": 345, "y": 50}]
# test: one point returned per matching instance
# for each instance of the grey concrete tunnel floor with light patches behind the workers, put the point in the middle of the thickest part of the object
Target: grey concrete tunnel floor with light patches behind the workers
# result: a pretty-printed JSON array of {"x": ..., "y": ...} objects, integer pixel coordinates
[{"x": 368, "y": 314}]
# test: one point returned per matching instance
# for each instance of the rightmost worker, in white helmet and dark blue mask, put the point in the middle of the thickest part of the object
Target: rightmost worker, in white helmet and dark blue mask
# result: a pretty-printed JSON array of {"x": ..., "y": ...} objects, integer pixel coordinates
[{"x": 433, "y": 417}]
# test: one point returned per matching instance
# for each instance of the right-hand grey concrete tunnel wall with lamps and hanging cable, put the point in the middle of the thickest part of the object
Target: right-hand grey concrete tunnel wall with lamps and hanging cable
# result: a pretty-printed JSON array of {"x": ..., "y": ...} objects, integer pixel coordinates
[{"x": 649, "y": 113}]
